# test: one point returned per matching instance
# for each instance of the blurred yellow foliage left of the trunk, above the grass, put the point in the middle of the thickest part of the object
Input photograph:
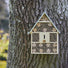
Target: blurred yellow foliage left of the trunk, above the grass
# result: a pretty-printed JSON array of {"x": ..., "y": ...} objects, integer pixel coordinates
[{"x": 4, "y": 41}]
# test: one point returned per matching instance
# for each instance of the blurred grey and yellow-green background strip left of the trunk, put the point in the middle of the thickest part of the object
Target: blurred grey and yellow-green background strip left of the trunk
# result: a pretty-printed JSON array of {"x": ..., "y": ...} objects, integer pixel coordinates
[{"x": 4, "y": 32}]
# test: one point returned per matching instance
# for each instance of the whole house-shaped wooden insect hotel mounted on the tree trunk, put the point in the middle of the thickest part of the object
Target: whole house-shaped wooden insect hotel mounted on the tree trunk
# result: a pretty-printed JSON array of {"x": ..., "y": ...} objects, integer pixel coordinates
[{"x": 44, "y": 36}]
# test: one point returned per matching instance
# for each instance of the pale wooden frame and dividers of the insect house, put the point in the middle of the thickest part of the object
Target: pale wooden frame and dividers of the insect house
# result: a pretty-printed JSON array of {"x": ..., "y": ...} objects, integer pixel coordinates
[{"x": 44, "y": 21}]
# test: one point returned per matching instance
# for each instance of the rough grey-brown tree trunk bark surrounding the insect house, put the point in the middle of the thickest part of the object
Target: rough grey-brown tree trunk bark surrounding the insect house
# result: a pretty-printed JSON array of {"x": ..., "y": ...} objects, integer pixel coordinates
[{"x": 22, "y": 19}]
